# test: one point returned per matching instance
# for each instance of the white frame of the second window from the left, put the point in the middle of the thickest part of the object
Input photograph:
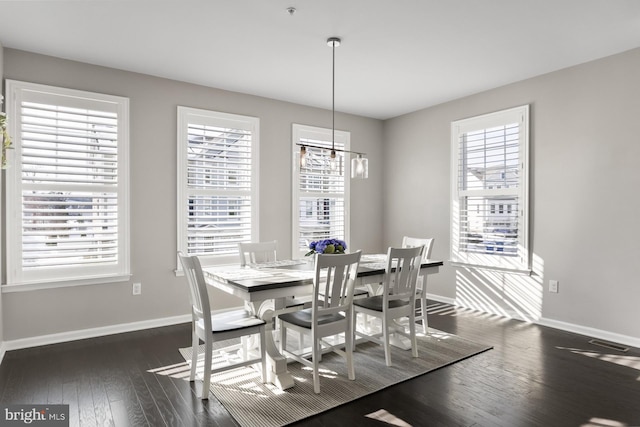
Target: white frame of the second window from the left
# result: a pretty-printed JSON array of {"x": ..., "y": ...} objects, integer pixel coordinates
[{"x": 185, "y": 116}]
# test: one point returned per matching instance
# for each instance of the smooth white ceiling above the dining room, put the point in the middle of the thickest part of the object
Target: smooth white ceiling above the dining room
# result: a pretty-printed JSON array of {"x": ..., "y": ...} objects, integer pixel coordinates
[{"x": 396, "y": 56}]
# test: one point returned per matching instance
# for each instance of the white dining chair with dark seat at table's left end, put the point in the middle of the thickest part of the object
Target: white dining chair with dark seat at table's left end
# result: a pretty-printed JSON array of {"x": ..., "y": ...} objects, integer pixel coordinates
[{"x": 210, "y": 328}]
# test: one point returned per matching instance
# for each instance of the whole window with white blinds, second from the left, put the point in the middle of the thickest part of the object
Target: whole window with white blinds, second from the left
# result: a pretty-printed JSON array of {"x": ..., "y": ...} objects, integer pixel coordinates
[{"x": 217, "y": 183}]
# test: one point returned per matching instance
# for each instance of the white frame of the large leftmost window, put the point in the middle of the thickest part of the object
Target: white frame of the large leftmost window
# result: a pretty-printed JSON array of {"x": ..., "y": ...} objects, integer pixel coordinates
[{"x": 17, "y": 279}]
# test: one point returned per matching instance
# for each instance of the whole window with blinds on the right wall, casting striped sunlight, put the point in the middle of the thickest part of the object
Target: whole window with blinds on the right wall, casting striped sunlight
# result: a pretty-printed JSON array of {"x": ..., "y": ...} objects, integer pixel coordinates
[{"x": 490, "y": 167}]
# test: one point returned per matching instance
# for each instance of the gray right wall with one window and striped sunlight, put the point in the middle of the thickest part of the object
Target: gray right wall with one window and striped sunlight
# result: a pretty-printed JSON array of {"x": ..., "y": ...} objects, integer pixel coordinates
[{"x": 585, "y": 179}]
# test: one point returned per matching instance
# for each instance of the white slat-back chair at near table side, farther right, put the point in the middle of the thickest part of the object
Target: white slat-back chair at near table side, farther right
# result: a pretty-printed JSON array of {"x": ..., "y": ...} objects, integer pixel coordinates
[{"x": 397, "y": 300}]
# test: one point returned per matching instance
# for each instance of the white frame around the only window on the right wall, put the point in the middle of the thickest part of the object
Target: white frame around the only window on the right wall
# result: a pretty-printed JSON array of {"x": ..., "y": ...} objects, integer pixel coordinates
[{"x": 521, "y": 263}]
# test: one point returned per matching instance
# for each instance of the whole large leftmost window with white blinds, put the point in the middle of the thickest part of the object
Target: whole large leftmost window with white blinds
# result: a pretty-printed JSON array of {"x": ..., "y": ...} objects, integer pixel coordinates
[{"x": 68, "y": 186}]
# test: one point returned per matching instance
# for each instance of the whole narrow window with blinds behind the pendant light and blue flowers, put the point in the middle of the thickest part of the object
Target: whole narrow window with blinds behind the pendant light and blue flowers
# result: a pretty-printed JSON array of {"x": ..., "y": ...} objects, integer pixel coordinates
[{"x": 320, "y": 194}]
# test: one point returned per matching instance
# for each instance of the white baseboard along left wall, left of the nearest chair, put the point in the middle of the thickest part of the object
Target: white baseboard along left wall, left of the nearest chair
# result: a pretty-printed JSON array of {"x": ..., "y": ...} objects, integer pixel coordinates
[{"x": 90, "y": 333}]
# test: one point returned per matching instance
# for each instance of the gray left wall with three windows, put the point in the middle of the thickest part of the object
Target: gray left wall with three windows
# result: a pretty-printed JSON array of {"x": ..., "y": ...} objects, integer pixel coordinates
[{"x": 153, "y": 103}]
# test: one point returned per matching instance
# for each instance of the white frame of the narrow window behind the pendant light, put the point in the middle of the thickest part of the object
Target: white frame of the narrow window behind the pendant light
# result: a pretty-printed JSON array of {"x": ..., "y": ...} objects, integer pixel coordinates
[{"x": 299, "y": 132}]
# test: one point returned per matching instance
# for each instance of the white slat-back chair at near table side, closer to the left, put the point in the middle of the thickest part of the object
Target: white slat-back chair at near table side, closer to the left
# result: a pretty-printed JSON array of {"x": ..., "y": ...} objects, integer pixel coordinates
[{"x": 330, "y": 313}]
